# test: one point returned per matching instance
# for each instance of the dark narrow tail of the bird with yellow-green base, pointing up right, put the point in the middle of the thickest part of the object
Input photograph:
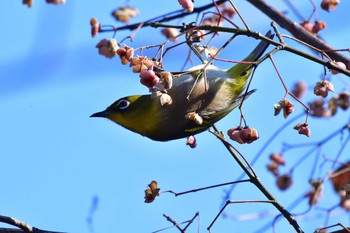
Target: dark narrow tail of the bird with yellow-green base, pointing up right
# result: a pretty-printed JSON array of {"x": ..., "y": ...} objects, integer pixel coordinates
[{"x": 242, "y": 68}]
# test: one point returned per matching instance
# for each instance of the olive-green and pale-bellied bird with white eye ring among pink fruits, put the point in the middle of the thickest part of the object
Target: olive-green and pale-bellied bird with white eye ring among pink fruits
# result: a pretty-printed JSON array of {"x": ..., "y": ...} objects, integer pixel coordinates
[{"x": 209, "y": 97}]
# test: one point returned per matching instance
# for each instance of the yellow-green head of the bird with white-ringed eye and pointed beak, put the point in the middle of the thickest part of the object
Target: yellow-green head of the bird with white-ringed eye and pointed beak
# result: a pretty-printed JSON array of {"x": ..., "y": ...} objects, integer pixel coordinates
[{"x": 136, "y": 113}]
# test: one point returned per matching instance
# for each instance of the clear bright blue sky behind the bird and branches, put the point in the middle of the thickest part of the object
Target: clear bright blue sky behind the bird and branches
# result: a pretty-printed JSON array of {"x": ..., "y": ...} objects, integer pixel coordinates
[{"x": 56, "y": 160}]
